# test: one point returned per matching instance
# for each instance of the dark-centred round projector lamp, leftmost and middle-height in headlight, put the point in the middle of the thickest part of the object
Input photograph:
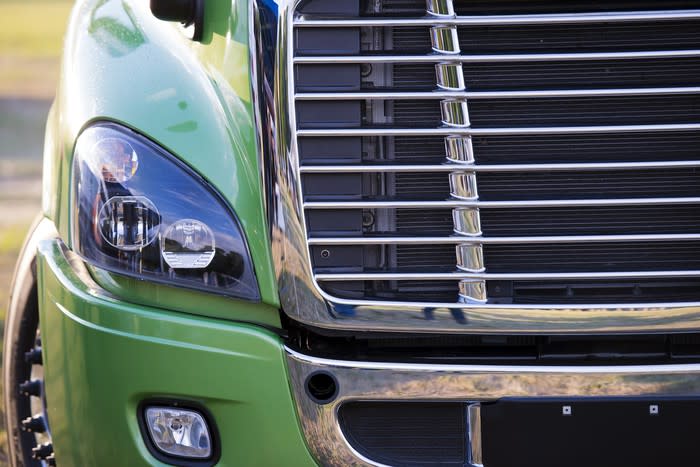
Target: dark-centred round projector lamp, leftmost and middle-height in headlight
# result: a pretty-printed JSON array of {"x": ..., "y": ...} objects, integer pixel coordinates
[{"x": 129, "y": 223}]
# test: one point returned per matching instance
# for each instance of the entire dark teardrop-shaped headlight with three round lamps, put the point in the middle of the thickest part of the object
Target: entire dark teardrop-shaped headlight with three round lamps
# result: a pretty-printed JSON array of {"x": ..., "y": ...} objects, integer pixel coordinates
[{"x": 139, "y": 211}]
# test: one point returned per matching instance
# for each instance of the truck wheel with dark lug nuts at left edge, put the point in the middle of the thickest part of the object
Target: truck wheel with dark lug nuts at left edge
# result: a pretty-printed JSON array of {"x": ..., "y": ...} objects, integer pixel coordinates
[{"x": 26, "y": 417}]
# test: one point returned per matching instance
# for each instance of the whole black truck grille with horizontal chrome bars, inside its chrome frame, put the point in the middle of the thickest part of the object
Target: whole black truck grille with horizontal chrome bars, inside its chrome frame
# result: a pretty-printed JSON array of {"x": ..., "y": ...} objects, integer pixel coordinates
[{"x": 509, "y": 151}]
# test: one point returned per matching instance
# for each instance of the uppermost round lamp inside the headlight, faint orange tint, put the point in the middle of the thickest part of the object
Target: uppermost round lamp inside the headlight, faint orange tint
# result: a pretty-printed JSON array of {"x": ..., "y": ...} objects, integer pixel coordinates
[{"x": 117, "y": 161}]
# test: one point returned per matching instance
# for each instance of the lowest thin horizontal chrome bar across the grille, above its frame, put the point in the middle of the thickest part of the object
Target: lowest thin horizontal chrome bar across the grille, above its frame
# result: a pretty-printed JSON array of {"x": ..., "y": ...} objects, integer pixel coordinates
[{"x": 524, "y": 276}]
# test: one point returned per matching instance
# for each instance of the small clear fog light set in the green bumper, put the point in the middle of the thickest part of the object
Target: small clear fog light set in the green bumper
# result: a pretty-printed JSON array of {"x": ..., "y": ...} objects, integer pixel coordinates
[{"x": 179, "y": 432}]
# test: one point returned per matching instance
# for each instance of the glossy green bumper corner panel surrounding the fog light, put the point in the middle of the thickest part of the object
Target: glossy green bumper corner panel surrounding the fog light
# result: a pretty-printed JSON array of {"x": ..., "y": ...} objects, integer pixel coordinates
[{"x": 102, "y": 357}]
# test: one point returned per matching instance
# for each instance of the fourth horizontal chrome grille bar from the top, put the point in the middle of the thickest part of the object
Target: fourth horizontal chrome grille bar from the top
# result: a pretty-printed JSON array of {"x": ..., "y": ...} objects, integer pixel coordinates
[{"x": 447, "y": 131}]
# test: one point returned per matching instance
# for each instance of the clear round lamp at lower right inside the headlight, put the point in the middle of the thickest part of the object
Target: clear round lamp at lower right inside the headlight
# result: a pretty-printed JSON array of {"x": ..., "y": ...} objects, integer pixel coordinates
[{"x": 188, "y": 244}]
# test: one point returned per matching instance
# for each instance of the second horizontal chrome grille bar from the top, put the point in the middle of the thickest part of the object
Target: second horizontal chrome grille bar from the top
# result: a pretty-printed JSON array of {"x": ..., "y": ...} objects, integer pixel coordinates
[{"x": 436, "y": 58}]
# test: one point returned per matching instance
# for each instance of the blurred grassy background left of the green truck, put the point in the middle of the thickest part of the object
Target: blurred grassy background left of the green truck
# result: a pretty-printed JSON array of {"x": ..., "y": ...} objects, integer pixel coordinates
[{"x": 31, "y": 37}]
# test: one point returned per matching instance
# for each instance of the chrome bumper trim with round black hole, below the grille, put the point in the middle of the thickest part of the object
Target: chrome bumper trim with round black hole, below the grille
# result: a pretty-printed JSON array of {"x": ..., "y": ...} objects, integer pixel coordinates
[{"x": 378, "y": 381}]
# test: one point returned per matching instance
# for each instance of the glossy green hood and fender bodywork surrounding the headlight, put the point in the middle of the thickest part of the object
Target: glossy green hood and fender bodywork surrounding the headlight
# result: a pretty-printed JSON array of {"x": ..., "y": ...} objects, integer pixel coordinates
[{"x": 121, "y": 64}]
